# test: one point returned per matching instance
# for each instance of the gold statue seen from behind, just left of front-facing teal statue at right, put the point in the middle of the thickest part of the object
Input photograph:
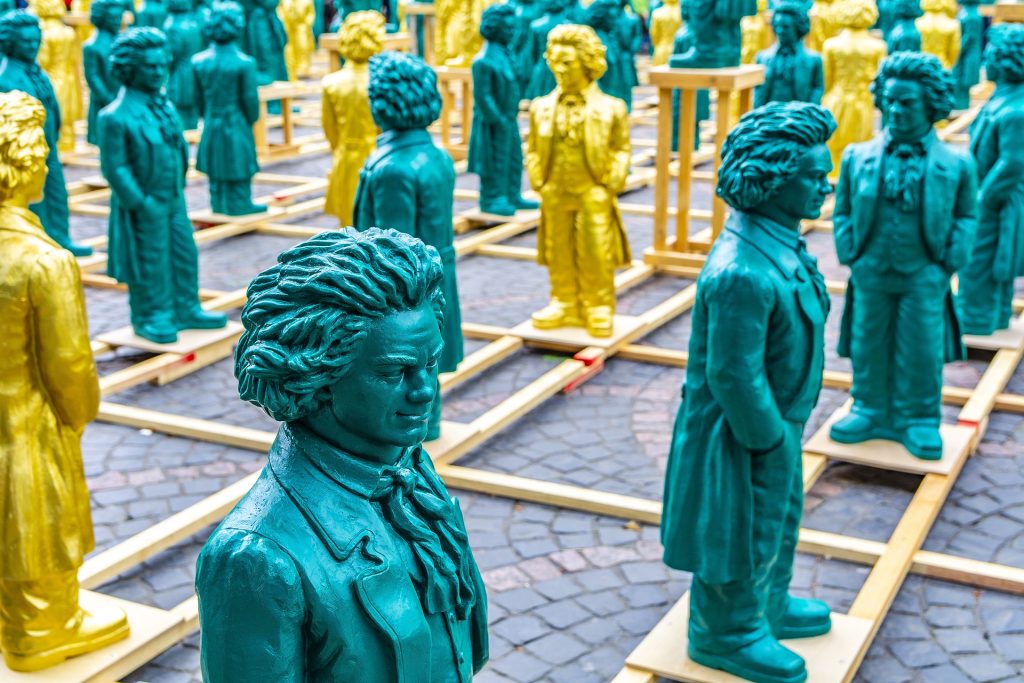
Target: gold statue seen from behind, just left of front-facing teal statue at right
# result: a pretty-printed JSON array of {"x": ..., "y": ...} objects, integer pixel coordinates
[{"x": 851, "y": 62}]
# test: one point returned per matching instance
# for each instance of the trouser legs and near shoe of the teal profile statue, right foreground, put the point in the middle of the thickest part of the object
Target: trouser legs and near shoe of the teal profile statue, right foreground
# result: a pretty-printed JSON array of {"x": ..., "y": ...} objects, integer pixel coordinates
[{"x": 731, "y": 625}]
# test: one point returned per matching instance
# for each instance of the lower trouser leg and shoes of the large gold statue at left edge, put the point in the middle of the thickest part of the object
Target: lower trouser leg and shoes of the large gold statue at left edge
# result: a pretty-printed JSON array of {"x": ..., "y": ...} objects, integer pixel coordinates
[{"x": 41, "y": 624}]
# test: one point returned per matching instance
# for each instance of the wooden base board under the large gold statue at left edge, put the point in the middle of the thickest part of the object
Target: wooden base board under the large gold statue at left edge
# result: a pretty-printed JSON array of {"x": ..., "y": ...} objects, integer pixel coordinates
[{"x": 147, "y": 624}]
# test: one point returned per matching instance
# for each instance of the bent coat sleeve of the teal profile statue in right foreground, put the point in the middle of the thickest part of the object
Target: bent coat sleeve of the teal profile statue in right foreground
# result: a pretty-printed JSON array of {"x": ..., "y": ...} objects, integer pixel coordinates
[{"x": 740, "y": 304}]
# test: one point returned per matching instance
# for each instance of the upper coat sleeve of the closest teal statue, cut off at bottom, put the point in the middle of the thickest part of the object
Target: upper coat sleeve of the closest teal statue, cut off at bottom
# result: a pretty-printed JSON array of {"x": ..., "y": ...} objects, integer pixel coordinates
[{"x": 252, "y": 611}]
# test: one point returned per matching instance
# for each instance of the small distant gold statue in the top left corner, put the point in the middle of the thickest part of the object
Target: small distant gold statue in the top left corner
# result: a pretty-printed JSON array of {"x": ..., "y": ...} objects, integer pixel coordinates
[{"x": 61, "y": 57}]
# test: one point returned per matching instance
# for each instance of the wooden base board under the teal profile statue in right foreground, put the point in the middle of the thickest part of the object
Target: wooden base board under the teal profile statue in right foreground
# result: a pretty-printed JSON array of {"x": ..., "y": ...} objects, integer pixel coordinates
[{"x": 830, "y": 658}]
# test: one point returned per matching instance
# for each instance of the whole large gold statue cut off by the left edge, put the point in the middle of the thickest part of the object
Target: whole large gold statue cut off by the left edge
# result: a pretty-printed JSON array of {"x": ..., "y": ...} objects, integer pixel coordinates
[{"x": 49, "y": 394}]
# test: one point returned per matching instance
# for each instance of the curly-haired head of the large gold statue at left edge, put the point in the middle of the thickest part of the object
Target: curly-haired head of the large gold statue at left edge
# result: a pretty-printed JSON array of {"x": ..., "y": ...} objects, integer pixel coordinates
[{"x": 23, "y": 148}]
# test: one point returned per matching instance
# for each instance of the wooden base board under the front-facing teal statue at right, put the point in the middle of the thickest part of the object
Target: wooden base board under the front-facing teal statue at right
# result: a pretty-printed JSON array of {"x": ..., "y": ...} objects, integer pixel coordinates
[{"x": 890, "y": 455}]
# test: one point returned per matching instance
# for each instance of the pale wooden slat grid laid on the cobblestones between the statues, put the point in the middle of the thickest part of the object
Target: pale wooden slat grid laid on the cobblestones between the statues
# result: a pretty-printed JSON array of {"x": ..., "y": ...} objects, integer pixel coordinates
[{"x": 891, "y": 562}]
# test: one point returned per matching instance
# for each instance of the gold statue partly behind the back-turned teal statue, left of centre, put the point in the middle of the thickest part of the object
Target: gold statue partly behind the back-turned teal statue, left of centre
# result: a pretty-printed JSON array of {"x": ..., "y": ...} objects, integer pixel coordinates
[{"x": 346, "y": 113}]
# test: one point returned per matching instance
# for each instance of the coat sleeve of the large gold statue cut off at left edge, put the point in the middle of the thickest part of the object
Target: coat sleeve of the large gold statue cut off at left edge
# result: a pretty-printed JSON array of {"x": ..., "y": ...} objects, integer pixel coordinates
[{"x": 63, "y": 350}]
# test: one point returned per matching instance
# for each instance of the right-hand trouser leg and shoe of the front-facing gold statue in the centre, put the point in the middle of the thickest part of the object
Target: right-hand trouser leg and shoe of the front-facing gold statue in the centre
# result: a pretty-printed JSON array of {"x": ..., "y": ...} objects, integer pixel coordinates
[{"x": 594, "y": 246}]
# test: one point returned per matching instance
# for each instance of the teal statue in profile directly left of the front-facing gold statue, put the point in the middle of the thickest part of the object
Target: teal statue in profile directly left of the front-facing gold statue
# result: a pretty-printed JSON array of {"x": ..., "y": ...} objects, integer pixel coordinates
[{"x": 495, "y": 145}]
